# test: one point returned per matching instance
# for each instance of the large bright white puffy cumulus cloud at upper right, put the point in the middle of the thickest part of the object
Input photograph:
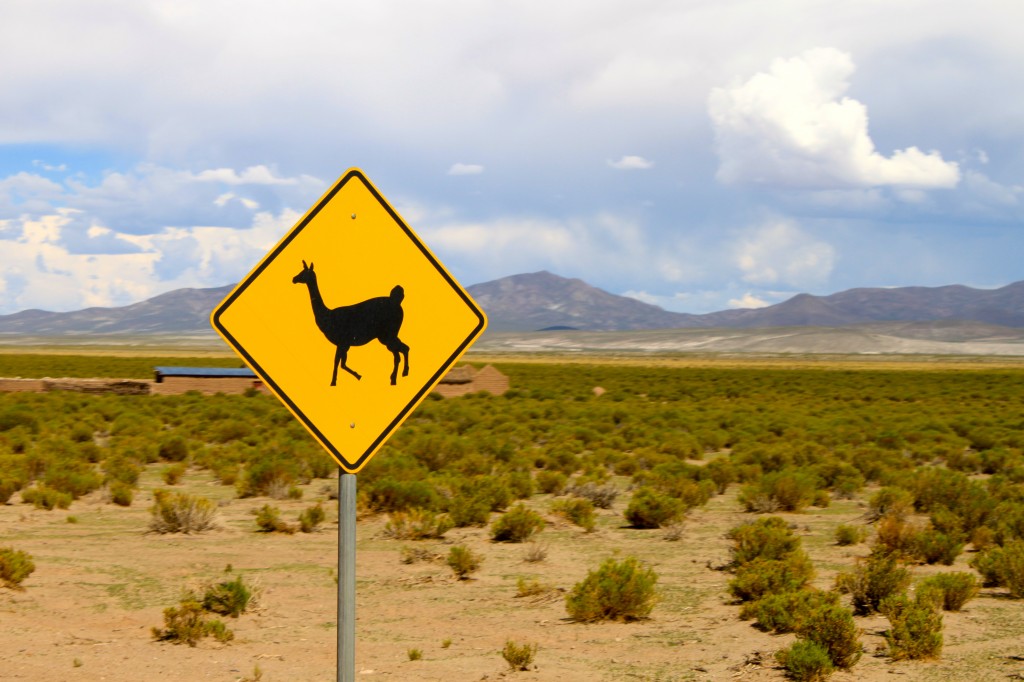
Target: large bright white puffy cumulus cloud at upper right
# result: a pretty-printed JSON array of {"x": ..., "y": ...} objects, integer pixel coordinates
[{"x": 794, "y": 127}]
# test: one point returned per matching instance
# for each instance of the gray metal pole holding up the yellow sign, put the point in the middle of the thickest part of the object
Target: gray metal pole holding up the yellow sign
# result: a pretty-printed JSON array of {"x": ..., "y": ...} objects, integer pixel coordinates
[{"x": 347, "y": 578}]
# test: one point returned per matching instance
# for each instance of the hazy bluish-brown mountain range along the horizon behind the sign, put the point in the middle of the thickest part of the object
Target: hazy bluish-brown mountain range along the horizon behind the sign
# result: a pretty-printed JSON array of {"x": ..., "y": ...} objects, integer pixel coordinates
[{"x": 547, "y": 302}]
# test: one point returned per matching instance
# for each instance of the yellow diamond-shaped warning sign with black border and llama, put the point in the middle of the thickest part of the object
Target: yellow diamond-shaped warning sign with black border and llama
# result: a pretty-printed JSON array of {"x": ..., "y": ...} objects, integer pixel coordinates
[{"x": 351, "y": 321}]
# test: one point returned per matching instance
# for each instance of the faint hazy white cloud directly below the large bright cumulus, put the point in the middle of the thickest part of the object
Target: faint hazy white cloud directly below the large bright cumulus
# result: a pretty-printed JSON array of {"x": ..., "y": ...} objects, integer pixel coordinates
[{"x": 779, "y": 252}]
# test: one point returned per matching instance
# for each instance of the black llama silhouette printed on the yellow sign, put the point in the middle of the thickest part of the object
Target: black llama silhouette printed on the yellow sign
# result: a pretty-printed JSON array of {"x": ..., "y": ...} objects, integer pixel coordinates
[{"x": 359, "y": 324}]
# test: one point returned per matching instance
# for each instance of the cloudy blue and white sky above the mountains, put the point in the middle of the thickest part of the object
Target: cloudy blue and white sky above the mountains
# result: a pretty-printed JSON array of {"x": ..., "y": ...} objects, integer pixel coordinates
[{"x": 699, "y": 155}]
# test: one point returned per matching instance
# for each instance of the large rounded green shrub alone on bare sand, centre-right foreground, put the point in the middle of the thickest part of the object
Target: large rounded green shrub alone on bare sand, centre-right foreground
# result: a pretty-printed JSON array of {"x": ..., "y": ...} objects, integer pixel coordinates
[{"x": 617, "y": 591}]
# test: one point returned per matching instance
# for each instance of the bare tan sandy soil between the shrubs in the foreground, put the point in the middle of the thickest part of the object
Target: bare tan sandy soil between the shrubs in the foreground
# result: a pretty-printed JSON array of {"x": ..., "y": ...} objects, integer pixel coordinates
[{"x": 102, "y": 584}]
